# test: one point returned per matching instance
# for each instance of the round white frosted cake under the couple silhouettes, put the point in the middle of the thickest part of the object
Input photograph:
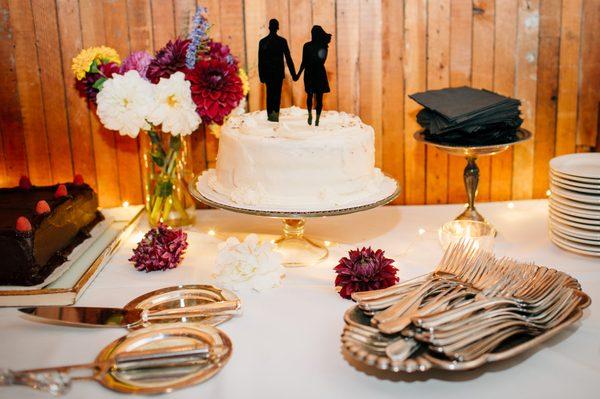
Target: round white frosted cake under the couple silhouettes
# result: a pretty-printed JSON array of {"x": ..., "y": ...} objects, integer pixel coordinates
[{"x": 291, "y": 163}]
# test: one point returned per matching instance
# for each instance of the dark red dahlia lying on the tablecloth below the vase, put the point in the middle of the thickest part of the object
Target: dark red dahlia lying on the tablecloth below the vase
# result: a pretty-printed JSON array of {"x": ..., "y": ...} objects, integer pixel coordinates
[{"x": 161, "y": 248}]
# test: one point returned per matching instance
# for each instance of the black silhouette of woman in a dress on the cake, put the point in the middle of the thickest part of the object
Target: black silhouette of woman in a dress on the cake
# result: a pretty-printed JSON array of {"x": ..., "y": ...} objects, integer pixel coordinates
[{"x": 314, "y": 55}]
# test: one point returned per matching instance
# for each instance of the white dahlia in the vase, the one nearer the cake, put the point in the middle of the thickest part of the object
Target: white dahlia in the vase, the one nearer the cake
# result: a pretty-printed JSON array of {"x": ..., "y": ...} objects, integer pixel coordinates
[{"x": 175, "y": 109}]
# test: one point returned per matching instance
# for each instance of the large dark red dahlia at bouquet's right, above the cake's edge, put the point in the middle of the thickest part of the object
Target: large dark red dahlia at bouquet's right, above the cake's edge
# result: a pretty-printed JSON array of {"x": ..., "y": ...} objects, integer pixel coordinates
[{"x": 216, "y": 89}]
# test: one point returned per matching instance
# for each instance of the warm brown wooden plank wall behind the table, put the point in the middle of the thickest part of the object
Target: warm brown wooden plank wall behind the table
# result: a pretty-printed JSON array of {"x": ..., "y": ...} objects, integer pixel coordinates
[{"x": 541, "y": 51}]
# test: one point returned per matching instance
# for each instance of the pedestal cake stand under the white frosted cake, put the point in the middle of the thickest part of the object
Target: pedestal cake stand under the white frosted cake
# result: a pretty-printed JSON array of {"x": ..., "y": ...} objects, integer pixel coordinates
[{"x": 296, "y": 248}]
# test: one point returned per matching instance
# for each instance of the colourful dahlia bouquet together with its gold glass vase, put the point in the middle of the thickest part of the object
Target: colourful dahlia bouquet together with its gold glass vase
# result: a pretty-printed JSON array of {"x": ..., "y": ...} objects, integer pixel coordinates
[{"x": 167, "y": 96}]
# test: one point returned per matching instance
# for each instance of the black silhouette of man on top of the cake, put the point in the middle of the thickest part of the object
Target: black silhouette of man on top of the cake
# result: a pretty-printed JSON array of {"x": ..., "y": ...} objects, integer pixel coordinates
[{"x": 271, "y": 52}]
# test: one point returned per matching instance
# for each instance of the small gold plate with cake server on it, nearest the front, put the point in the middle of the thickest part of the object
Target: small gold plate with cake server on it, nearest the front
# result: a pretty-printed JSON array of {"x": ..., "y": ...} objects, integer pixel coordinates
[{"x": 148, "y": 361}]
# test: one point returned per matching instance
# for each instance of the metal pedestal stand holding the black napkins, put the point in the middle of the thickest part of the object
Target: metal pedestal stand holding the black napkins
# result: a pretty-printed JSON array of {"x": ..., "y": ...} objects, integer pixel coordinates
[{"x": 471, "y": 172}]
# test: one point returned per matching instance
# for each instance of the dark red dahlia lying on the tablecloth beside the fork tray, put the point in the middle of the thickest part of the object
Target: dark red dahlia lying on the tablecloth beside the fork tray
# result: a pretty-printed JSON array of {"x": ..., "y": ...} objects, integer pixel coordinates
[{"x": 364, "y": 270}]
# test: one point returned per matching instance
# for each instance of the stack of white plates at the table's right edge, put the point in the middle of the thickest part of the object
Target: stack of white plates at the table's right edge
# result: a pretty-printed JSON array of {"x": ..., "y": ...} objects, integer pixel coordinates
[{"x": 575, "y": 203}]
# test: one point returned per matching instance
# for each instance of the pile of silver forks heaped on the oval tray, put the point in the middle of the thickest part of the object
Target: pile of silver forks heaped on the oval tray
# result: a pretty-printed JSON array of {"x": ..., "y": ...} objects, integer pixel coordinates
[{"x": 471, "y": 304}]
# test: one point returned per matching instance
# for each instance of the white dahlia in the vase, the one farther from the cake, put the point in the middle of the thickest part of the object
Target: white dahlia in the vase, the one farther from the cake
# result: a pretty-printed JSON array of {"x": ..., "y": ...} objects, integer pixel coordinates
[{"x": 125, "y": 102}]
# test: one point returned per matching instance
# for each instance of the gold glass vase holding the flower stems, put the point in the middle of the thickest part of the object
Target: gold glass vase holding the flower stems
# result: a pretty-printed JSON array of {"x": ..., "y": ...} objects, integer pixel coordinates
[{"x": 167, "y": 172}]
